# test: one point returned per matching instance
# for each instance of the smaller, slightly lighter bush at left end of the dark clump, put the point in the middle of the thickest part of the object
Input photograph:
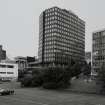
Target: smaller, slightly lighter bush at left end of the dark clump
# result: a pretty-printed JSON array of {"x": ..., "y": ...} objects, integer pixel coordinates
[{"x": 32, "y": 78}]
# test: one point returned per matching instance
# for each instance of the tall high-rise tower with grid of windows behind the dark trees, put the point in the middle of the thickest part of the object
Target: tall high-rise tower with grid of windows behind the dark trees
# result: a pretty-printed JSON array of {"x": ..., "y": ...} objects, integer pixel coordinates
[{"x": 61, "y": 37}]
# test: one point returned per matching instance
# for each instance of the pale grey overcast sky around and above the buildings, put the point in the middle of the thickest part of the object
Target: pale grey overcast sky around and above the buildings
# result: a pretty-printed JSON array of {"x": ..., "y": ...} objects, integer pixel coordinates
[{"x": 19, "y": 22}]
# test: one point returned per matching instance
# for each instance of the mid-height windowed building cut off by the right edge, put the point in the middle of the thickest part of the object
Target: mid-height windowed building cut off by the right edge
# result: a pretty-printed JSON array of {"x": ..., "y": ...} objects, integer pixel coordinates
[{"x": 98, "y": 50}]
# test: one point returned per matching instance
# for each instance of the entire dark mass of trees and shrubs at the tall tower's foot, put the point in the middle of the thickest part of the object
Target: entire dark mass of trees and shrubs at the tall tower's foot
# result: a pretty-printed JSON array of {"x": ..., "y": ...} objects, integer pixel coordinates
[{"x": 52, "y": 77}]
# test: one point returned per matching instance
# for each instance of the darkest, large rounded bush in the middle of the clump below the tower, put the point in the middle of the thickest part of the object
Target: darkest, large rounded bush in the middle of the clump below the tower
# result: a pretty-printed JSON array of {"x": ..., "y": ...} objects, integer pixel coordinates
[{"x": 56, "y": 77}]
